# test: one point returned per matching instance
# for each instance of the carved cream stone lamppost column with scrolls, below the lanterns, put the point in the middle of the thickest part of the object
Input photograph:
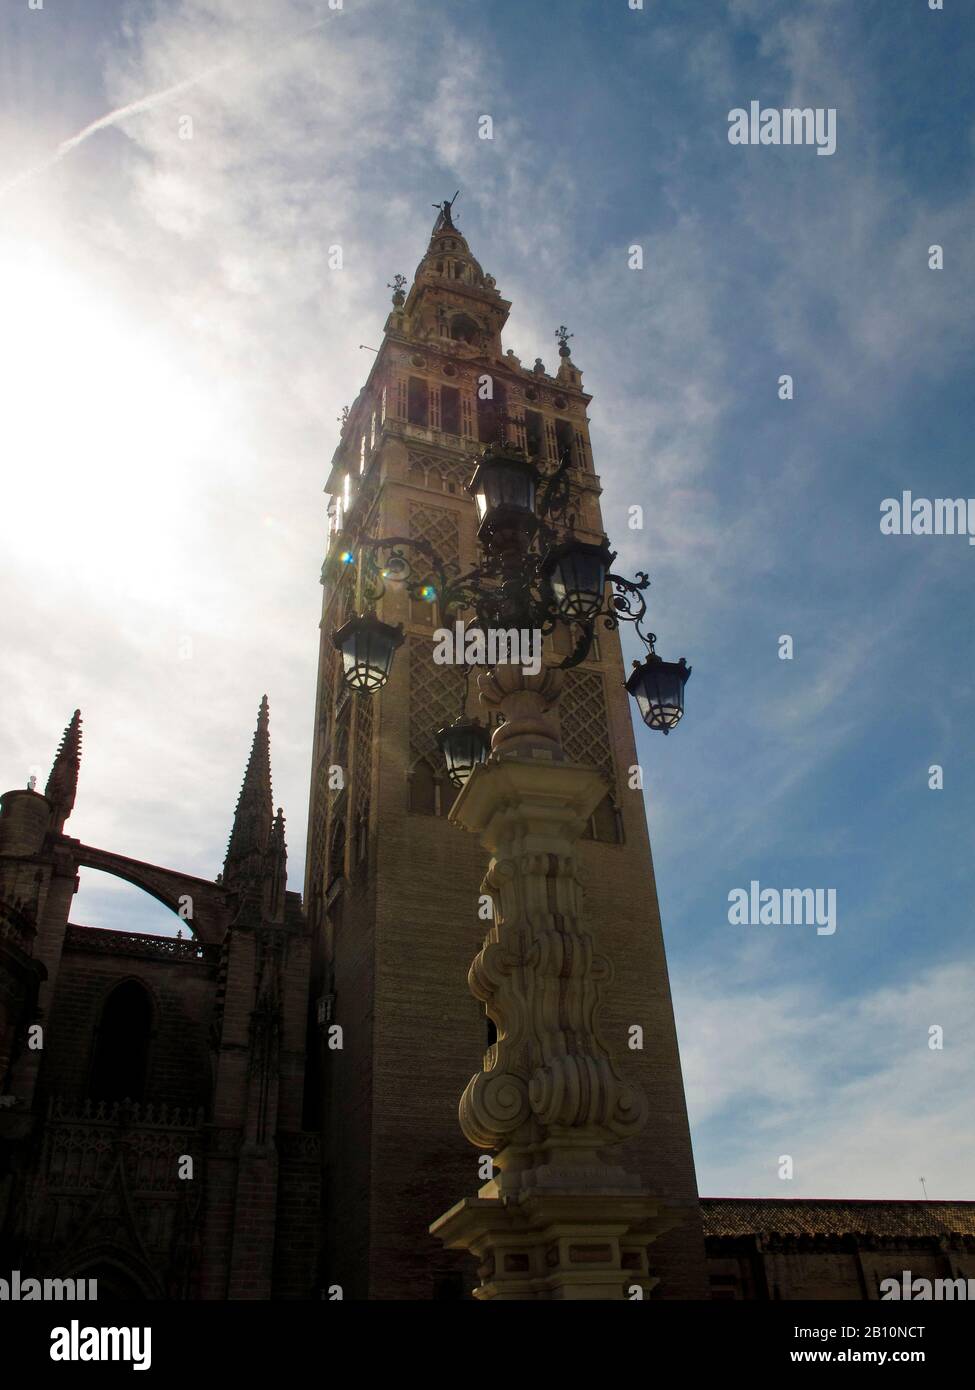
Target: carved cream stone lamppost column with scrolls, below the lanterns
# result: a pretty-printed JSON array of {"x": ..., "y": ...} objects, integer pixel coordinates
[{"x": 561, "y": 1218}]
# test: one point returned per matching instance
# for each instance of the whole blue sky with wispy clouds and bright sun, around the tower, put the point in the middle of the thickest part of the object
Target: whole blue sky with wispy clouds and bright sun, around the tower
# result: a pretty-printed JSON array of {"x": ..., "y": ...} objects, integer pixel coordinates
[{"x": 176, "y": 351}]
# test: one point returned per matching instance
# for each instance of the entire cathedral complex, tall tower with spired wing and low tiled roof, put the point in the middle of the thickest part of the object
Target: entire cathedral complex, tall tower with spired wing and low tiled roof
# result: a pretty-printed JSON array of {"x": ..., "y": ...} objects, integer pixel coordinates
[{"x": 266, "y": 1107}]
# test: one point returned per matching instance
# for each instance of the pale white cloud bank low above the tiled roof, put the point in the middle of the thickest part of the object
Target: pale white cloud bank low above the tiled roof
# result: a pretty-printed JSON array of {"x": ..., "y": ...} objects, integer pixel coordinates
[{"x": 849, "y": 1089}]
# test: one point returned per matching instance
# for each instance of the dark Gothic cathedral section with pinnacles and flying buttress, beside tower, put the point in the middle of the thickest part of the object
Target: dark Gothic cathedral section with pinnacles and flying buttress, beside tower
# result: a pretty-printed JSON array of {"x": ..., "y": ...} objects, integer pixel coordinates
[{"x": 152, "y": 1088}]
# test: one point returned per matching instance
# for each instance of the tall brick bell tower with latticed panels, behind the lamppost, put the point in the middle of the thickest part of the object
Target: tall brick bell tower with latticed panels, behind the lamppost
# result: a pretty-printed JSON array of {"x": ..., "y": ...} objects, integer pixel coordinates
[{"x": 393, "y": 888}]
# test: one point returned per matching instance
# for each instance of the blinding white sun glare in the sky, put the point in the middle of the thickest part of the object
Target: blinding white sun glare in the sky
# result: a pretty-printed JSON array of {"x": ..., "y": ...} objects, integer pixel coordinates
[{"x": 101, "y": 434}]
